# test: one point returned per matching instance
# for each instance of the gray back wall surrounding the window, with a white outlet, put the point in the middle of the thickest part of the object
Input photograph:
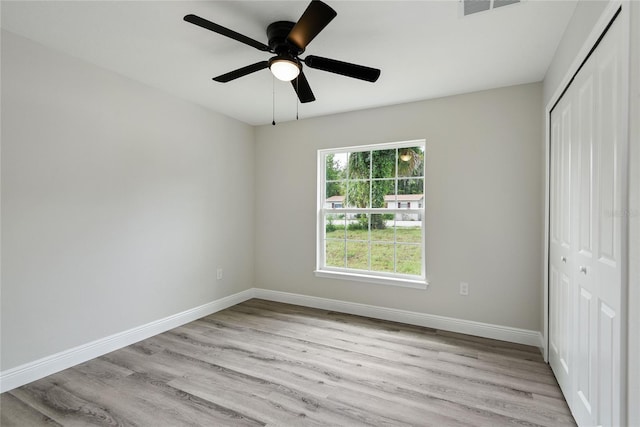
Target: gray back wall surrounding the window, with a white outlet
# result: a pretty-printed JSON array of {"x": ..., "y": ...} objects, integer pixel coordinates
[{"x": 484, "y": 175}]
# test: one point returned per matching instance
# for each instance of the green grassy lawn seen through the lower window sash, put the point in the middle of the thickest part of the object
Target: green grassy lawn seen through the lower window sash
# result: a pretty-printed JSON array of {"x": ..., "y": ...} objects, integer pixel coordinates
[{"x": 406, "y": 253}]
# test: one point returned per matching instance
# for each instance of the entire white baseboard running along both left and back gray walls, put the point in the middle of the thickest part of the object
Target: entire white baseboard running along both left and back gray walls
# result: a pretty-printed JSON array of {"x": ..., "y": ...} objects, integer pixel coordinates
[{"x": 32, "y": 371}]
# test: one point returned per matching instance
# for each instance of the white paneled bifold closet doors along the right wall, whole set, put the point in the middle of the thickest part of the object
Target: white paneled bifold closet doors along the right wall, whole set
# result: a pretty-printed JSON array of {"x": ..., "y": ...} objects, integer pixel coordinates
[{"x": 587, "y": 152}]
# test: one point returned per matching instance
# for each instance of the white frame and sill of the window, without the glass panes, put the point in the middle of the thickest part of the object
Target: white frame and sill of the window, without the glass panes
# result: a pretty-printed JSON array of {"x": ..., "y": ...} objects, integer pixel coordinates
[{"x": 395, "y": 279}]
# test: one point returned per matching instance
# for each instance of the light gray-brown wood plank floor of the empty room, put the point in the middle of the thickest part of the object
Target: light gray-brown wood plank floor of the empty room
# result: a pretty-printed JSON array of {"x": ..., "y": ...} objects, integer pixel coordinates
[{"x": 264, "y": 363}]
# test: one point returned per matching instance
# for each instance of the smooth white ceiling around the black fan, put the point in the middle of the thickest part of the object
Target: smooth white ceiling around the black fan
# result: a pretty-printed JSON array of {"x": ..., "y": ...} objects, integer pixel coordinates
[{"x": 425, "y": 49}]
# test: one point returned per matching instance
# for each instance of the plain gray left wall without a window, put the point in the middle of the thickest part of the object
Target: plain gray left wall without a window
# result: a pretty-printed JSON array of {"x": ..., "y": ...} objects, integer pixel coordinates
[{"x": 118, "y": 203}]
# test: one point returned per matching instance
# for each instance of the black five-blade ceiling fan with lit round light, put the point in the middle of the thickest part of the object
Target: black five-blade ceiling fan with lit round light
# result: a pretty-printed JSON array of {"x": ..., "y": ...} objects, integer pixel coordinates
[{"x": 288, "y": 40}]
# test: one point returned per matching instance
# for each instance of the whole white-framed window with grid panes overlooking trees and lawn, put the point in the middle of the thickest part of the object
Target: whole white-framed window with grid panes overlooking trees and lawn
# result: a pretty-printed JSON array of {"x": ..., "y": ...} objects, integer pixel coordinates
[{"x": 371, "y": 215}]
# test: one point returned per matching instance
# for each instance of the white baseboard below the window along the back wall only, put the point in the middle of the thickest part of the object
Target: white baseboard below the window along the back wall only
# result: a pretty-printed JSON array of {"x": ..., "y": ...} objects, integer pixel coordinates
[{"x": 486, "y": 330}]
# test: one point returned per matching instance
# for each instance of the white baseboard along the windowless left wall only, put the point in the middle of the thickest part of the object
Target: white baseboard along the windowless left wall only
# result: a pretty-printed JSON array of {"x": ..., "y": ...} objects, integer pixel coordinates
[{"x": 24, "y": 374}]
